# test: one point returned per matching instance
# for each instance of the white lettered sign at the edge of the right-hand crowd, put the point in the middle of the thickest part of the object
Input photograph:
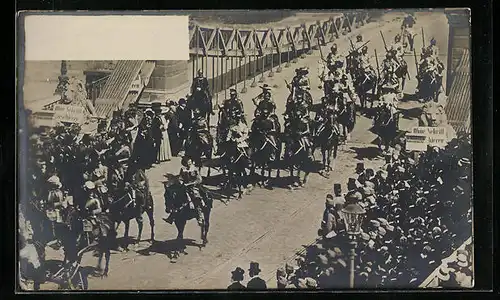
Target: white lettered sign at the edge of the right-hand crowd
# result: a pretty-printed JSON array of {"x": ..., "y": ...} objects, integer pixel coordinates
[{"x": 420, "y": 137}]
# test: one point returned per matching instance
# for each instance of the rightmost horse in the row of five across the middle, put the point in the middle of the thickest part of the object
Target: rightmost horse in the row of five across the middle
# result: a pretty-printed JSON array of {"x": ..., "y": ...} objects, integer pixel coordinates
[{"x": 327, "y": 137}]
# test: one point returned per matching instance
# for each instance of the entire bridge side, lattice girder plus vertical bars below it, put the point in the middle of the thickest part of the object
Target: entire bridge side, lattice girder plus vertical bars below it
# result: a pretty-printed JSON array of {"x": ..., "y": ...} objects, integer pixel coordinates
[{"x": 234, "y": 55}]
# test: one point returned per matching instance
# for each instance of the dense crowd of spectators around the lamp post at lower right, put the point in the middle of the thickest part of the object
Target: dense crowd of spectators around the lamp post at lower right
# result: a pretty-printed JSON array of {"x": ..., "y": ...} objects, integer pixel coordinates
[{"x": 418, "y": 211}]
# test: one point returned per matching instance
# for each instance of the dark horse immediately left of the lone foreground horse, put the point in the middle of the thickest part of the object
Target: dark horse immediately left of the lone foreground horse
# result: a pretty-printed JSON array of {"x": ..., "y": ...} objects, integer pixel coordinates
[{"x": 133, "y": 201}]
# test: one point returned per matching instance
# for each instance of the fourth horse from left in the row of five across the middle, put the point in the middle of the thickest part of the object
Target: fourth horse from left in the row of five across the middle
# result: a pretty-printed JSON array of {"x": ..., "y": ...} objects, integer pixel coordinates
[{"x": 297, "y": 154}]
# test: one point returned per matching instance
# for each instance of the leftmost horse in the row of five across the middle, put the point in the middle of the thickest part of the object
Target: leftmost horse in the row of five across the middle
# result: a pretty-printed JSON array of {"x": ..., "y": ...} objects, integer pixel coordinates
[{"x": 199, "y": 144}]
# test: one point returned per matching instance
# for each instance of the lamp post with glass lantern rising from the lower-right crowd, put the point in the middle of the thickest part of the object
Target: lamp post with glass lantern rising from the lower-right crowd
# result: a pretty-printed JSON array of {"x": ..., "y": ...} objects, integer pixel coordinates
[{"x": 353, "y": 216}]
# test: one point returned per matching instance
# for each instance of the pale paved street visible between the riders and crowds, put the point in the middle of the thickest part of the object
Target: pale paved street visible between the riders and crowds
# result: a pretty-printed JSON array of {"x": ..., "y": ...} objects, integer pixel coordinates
[{"x": 267, "y": 226}]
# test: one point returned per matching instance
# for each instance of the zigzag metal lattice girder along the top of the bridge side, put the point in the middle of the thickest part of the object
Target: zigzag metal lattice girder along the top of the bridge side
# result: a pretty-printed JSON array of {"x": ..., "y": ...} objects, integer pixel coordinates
[{"x": 242, "y": 42}]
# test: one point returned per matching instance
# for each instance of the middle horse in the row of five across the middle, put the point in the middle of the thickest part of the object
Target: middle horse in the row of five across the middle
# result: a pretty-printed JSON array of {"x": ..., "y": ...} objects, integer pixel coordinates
[{"x": 265, "y": 146}]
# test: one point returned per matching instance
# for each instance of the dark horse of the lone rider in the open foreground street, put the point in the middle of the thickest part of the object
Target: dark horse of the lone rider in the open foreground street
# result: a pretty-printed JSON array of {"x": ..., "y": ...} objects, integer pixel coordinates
[{"x": 176, "y": 202}]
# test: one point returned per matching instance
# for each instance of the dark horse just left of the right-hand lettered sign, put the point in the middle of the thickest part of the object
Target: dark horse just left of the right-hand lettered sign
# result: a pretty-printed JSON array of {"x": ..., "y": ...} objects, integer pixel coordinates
[{"x": 385, "y": 125}]
